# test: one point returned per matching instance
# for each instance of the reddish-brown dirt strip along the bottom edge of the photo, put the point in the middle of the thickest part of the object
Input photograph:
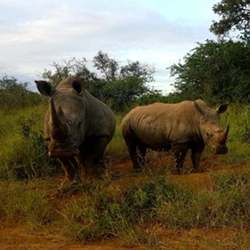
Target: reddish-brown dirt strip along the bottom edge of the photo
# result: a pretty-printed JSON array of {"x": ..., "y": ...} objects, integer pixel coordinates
[{"x": 23, "y": 238}]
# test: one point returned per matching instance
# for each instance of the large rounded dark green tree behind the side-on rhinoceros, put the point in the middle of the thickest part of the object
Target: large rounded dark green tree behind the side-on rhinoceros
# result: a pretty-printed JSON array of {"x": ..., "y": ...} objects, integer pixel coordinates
[{"x": 215, "y": 71}]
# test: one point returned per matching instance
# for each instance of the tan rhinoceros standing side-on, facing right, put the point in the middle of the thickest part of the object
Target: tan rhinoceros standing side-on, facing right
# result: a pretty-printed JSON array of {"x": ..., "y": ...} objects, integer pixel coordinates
[{"x": 179, "y": 127}]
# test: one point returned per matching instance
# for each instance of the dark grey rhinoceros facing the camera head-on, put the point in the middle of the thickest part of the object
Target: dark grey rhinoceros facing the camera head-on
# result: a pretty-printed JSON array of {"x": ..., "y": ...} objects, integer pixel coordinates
[{"x": 77, "y": 126}]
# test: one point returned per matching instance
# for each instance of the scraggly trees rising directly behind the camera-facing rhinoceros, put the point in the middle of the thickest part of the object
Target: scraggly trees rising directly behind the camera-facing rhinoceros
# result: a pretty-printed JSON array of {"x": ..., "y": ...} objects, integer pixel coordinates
[{"x": 115, "y": 84}]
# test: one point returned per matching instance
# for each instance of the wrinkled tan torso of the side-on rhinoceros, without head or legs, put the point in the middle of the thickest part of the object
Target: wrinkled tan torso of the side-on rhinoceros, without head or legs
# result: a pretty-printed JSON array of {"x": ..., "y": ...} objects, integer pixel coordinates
[{"x": 158, "y": 123}]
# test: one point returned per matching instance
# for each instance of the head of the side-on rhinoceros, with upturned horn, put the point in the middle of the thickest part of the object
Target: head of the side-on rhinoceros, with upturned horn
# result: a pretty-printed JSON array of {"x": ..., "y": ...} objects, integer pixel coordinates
[{"x": 211, "y": 132}]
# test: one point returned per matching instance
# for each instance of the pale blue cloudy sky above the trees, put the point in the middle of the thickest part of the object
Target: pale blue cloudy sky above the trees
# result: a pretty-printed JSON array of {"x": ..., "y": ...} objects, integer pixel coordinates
[{"x": 34, "y": 34}]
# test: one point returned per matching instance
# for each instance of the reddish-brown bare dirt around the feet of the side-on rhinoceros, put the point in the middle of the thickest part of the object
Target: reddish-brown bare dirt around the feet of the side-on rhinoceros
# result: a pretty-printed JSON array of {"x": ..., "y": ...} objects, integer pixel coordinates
[{"x": 164, "y": 165}]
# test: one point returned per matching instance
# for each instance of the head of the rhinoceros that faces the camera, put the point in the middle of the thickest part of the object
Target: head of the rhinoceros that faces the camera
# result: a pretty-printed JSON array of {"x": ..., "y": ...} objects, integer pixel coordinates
[{"x": 66, "y": 117}]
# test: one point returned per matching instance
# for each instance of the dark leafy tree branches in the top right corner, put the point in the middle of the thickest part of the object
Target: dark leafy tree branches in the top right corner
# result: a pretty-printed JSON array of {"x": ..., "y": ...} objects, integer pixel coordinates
[{"x": 235, "y": 16}]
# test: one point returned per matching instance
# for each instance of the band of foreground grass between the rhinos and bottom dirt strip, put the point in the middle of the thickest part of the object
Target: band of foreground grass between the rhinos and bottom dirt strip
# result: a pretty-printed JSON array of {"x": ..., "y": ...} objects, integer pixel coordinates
[{"x": 103, "y": 210}]
